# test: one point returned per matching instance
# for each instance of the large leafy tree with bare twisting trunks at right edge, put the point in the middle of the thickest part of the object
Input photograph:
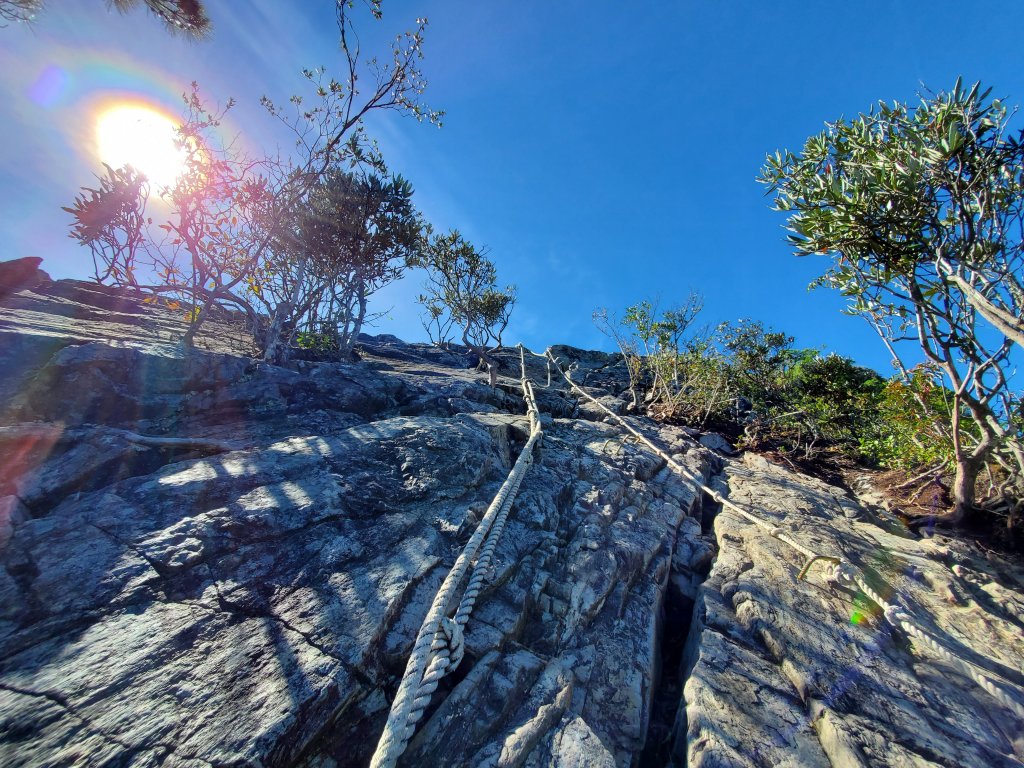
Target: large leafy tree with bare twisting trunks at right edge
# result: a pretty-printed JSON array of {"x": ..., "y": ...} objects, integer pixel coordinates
[{"x": 922, "y": 210}]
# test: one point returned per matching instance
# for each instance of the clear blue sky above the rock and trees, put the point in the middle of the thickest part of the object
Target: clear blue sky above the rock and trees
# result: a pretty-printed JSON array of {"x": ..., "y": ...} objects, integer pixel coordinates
[{"x": 605, "y": 152}]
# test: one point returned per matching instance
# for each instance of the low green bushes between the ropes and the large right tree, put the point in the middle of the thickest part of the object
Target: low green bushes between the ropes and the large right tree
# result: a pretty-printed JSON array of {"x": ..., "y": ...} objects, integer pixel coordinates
[{"x": 745, "y": 377}]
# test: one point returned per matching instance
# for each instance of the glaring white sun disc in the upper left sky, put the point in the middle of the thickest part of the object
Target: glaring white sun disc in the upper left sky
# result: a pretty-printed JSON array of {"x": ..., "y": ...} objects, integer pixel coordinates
[{"x": 143, "y": 138}]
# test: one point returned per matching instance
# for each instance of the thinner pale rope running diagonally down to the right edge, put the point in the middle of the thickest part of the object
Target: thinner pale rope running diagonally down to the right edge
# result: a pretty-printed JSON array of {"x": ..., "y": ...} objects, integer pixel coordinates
[{"x": 842, "y": 573}]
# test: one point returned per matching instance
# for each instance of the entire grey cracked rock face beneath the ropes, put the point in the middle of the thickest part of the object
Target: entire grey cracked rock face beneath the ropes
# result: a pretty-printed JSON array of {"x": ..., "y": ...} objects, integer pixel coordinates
[{"x": 208, "y": 561}]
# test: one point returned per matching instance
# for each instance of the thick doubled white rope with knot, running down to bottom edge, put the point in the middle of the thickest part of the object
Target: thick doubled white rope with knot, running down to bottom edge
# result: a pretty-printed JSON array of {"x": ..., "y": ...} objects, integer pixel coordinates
[{"x": 439, "y": 647}]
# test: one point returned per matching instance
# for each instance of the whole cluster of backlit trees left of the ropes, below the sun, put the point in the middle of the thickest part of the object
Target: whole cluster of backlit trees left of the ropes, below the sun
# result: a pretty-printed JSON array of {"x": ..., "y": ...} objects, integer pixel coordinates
[{"x": 297, "y": 244}]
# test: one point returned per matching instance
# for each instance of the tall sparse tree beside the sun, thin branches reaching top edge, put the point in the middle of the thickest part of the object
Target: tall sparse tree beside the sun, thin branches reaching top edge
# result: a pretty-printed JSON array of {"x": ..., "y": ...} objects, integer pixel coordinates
[{"x": 228, "y": 237}]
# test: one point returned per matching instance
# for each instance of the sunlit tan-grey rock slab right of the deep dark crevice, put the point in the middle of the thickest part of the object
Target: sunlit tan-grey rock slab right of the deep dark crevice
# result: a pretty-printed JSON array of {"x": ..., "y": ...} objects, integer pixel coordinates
[{"x": 805, "y": 674}]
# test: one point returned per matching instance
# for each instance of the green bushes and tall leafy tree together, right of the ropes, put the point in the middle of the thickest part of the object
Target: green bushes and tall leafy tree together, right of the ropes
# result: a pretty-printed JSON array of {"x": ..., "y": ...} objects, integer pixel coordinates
[{"x": 922, "y": 211}]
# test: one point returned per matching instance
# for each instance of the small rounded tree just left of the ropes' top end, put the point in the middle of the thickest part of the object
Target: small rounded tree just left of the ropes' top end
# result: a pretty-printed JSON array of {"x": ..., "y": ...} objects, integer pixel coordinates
[{"x": 462, "y": 291}]
